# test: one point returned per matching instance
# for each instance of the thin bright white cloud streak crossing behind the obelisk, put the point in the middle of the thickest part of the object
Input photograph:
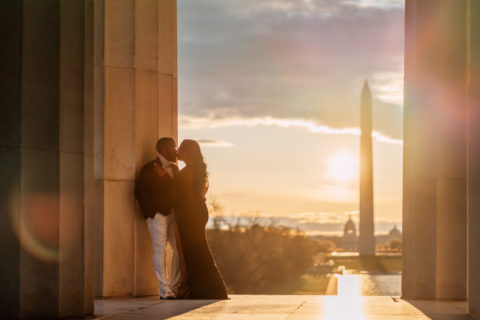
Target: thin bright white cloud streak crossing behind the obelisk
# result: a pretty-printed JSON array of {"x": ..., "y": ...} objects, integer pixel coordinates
[{"x": 195, "y": 123}]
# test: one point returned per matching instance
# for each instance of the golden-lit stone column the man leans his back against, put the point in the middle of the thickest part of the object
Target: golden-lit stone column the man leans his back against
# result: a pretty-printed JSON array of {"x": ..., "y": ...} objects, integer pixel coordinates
[{"x": 135, "y": 92}]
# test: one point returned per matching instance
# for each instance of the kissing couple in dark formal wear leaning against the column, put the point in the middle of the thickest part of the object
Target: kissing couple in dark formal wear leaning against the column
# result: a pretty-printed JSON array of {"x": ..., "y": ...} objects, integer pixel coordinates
[{"x": 173, "y": 203}]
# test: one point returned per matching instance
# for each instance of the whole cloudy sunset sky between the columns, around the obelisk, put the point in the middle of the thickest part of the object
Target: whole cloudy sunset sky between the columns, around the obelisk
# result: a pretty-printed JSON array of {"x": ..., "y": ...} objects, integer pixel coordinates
[{"x": 272, "y": 90}]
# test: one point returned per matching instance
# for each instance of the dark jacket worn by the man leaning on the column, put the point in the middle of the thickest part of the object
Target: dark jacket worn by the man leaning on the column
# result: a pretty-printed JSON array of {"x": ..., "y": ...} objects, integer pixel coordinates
[{"x": 154, "y": 193}]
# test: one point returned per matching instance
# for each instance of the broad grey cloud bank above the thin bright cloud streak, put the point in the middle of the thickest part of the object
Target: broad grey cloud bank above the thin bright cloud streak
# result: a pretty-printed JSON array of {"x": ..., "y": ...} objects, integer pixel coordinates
[{"x": 291, "y": 59}]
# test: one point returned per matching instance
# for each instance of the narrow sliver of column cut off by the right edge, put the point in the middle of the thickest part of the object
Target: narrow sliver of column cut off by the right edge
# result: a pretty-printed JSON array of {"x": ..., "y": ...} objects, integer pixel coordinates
[{"x": 474, "y": 161}]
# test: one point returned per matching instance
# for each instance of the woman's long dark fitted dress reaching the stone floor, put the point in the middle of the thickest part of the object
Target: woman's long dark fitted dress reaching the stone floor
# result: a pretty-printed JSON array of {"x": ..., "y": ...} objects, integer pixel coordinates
[{"x": 204, "y": 279}]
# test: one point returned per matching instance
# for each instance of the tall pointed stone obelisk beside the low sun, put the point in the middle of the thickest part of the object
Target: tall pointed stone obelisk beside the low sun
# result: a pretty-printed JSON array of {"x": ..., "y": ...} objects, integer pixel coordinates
[{"x": 366, "y": 244}]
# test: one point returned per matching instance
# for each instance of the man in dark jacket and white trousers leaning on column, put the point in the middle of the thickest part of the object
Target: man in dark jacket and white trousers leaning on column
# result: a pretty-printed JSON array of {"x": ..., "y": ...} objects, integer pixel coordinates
[{"x": 155, "y": 195}]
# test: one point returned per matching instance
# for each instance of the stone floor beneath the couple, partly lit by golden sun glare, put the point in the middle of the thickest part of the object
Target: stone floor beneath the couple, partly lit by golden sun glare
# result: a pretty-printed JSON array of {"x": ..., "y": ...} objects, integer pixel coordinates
[{"x": 285, "y": 307}]
